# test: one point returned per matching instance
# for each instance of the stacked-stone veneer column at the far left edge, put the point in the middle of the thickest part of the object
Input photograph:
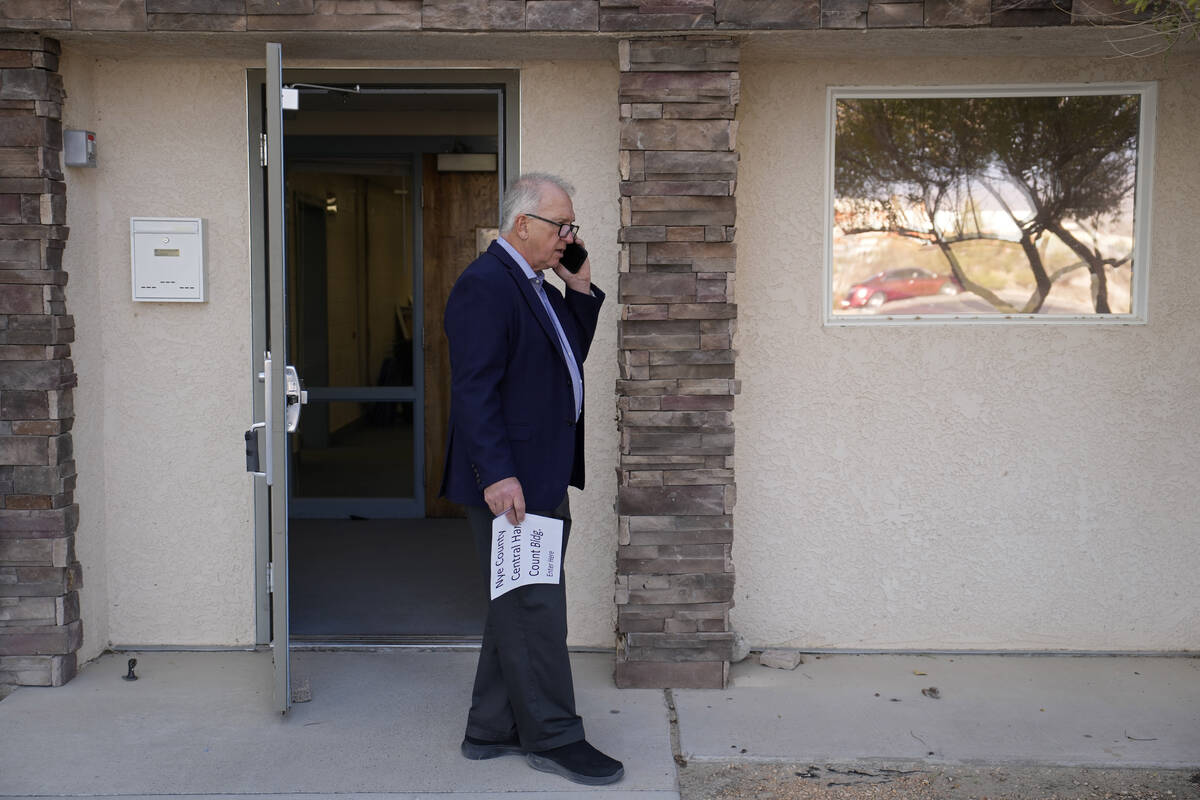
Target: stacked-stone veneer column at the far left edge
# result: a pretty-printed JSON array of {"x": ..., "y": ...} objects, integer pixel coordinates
[{"x": 40, "y": 628}]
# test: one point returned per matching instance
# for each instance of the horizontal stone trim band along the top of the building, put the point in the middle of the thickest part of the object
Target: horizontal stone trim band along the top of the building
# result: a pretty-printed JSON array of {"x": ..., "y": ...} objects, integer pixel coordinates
[{"x": 547, "y": 16}]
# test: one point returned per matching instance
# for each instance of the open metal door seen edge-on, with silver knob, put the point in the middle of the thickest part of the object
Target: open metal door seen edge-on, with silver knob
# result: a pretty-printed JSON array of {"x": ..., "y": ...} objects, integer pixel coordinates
[{"x": 283, "y": 392}]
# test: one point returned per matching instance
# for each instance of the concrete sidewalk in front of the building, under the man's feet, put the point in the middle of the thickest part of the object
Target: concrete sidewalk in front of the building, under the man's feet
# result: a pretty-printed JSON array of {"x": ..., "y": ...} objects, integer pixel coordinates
[{"x": 389, "y": 723}]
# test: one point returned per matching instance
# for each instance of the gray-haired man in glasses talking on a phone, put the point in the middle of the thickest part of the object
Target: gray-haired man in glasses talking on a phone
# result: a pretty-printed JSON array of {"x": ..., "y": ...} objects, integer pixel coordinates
[{"x": 515, "y": 443}]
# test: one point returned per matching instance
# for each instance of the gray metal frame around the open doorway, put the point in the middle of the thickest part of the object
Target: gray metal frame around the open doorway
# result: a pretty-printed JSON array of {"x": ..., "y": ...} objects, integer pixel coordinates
[{"x": 429, "y": 80}]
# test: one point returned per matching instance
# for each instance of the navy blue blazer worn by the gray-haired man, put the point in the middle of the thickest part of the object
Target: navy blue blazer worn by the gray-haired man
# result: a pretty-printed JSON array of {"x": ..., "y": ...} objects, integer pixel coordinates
[{"x": 512, "y": 402}]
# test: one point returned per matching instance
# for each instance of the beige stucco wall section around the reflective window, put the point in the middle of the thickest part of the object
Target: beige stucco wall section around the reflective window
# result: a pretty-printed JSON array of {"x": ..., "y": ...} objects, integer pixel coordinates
[{"x": 1012, "y": 488}]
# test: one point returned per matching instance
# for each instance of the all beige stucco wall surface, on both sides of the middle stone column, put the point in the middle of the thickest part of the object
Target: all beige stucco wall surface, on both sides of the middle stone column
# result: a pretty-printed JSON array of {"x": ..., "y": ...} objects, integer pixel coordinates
[{"x": 907, "y": 488}]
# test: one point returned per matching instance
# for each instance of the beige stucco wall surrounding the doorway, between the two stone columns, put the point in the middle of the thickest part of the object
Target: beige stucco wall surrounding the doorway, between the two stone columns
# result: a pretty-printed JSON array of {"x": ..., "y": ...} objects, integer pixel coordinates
[{"x": 166, "y": 537}]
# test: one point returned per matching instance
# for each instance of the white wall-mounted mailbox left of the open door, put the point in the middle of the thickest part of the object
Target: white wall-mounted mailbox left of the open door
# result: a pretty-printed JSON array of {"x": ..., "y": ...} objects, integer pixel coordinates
[{"x": 169, "y": 260}]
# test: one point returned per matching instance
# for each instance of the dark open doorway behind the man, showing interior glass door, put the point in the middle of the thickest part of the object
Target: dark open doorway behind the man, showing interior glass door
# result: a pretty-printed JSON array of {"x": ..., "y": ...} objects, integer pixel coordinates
[{"x": 391, "y": 190}]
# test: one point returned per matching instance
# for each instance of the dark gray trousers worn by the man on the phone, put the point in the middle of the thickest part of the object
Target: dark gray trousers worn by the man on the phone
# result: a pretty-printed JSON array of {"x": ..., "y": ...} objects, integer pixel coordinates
[{"x": 524, "y": 682}]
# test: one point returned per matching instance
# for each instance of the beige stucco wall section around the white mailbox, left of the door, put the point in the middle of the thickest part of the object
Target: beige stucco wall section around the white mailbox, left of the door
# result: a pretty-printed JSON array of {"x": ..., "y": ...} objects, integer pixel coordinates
[{"x": 164, "y": 396}]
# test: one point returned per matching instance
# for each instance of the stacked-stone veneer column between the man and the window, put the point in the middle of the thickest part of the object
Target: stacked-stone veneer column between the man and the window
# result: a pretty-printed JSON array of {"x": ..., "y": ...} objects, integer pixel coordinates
[{"x": 675, "y": 396}]
